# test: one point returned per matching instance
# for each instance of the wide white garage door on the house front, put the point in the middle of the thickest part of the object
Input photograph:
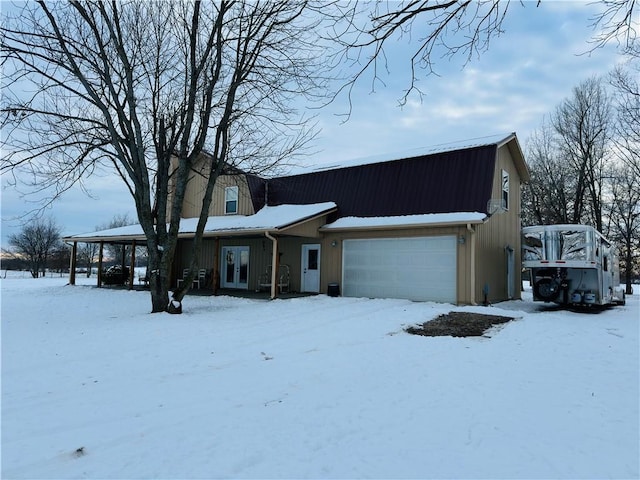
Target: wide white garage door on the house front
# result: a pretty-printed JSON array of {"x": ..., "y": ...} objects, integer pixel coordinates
[{"x": 420, "y": 268}]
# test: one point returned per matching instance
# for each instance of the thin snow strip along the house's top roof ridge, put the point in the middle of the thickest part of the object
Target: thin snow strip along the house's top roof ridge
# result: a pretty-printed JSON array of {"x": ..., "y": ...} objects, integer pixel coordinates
[{"x": 498, "y": 139}]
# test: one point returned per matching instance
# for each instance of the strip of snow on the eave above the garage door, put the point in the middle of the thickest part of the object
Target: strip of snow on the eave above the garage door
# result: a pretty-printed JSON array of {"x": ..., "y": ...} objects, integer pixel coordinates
[{"x": 348, "y": 223}]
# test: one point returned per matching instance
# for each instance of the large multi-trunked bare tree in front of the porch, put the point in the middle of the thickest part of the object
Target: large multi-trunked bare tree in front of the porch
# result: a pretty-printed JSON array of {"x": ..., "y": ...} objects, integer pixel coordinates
[{"x": 143, "y": 88}]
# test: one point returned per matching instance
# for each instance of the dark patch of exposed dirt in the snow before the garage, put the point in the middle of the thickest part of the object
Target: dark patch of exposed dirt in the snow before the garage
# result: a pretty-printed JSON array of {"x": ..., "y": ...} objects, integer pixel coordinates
[{"x": 458, "y": 324}]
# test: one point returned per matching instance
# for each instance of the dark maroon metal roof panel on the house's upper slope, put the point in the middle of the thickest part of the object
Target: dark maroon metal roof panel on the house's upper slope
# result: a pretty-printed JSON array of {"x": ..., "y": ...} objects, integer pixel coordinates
[{"x": 458, "y": 181}]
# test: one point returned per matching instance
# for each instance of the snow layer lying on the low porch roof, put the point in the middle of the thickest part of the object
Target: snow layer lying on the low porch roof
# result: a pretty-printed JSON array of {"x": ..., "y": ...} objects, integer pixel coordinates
[{"x": 268, "y": 218}]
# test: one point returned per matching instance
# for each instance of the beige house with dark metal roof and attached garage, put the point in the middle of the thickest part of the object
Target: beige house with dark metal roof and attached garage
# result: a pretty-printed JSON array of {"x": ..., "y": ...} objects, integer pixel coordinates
[{"x": 439, "y": 224}]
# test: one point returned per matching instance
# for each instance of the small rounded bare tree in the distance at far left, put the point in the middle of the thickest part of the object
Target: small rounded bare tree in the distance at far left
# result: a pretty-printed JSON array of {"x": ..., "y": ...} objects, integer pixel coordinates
[{"x": 35, "y": 243}]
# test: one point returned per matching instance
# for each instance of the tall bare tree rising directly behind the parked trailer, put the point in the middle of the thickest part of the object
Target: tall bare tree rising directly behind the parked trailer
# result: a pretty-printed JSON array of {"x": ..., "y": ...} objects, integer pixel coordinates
[{"x": 568, "y": 159}]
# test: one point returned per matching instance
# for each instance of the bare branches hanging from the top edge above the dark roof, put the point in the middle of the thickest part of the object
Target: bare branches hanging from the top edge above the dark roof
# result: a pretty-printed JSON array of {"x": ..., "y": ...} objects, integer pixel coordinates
[{"x": 442, "y": 28}]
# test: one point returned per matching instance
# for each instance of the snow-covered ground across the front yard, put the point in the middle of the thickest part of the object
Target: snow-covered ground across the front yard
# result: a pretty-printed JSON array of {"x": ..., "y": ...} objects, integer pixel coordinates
[{"x": 93, "y": 386}]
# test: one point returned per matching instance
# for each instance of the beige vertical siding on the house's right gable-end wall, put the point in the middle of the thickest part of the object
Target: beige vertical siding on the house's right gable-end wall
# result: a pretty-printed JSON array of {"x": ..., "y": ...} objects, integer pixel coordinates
[{"x": 499, "y": 232}]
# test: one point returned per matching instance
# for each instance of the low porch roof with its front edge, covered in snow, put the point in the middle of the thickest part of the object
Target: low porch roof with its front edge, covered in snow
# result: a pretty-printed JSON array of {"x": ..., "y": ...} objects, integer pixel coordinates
[{"x": 268, "y": 219}]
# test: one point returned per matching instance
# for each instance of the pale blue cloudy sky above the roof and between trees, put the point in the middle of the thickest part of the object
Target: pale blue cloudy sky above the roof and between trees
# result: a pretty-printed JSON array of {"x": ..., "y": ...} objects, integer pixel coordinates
[{"x": 527, "y": 72}]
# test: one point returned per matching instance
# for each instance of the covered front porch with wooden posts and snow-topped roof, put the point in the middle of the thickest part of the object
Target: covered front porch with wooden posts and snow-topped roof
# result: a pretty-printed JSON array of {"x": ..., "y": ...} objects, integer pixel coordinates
[{"x": 275, "y": 253}]
